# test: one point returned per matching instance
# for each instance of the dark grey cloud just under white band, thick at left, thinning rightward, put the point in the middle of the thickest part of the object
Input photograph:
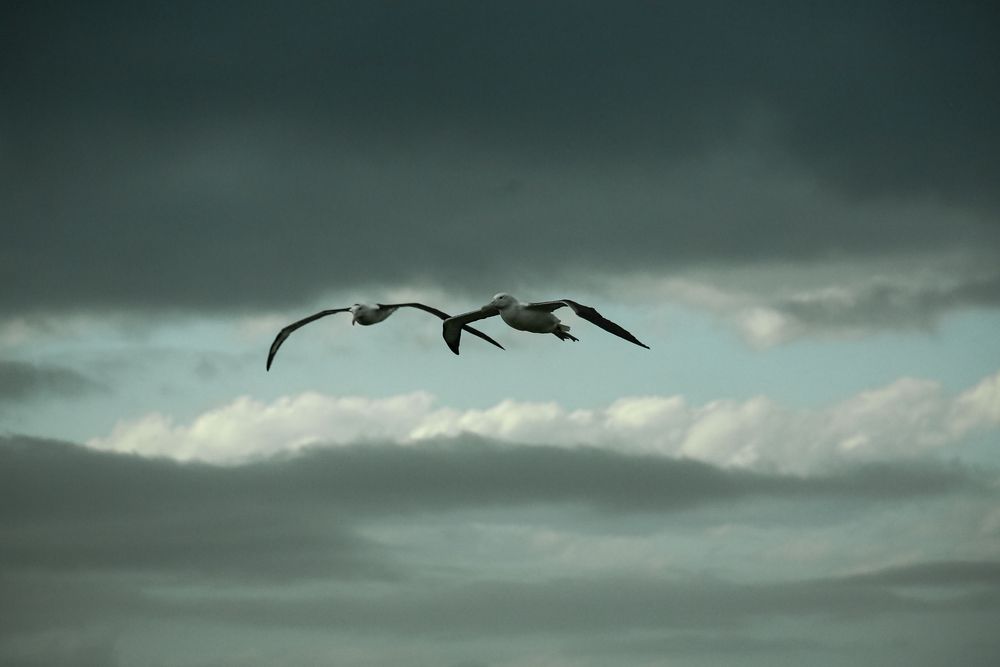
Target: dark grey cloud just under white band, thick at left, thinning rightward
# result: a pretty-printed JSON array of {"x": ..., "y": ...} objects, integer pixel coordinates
[{"x": 66, "y": 508}]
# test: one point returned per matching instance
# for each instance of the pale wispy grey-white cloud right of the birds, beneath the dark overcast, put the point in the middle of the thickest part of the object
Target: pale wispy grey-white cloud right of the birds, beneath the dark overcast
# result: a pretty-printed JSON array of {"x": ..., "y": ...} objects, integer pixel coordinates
[{"x": 835, "y": 301}]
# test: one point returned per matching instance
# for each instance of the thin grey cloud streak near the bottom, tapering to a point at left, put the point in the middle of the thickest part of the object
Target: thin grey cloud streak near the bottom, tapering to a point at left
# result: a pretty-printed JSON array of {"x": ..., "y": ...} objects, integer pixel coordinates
[{"x": 614, "y": 603}]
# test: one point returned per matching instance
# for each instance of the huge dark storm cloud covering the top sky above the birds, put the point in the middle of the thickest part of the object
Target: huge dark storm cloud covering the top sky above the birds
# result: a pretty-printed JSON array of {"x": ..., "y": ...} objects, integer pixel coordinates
[{"x": 232, "y": 155}]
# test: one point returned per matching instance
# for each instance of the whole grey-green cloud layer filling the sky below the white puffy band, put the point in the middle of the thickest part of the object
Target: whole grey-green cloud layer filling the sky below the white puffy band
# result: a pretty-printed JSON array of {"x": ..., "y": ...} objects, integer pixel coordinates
[{"x": 346, "y": 543}]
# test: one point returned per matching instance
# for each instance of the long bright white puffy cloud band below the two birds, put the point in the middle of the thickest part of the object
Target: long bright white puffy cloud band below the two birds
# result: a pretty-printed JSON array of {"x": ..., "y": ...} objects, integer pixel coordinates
[{"x": 907, "y": 418}]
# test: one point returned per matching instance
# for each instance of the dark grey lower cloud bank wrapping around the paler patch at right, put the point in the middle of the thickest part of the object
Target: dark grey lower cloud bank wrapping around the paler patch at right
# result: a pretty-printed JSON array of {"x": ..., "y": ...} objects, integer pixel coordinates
[{"x": 95, "y": 543}]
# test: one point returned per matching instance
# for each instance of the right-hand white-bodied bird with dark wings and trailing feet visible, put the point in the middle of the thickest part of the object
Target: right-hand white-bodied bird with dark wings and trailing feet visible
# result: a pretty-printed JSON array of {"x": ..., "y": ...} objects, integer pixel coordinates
[{"x": 533, "y": 317}]
